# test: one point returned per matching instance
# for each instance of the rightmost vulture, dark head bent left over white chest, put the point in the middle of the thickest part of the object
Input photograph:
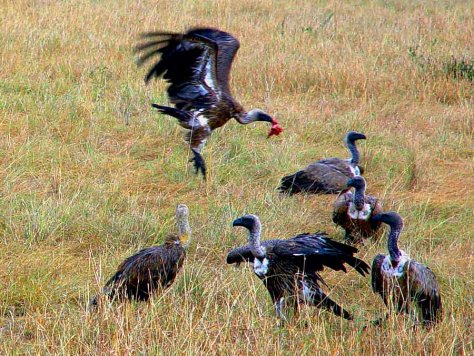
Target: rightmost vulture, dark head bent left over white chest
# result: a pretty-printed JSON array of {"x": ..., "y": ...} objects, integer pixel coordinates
[{"x": 404, "y": 284}]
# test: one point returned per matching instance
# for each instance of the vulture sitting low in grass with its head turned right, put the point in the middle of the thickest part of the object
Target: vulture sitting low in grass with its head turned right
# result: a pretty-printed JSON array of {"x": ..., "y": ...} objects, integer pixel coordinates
[{"x": 327, "y": 176}]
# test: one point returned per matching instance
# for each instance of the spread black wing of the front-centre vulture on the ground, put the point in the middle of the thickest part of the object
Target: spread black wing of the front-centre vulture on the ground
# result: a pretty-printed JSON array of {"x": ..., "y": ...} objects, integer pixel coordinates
[{"x": 313, "y": 252}]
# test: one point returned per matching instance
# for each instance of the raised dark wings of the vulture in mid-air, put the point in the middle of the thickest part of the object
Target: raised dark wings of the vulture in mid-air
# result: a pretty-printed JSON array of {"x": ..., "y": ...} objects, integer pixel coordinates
[{"x": 196, "y": 64}]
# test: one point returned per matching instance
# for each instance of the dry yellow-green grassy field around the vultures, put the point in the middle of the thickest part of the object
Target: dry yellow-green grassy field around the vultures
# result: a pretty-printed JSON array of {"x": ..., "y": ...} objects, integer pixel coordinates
[{"x": 81, "y": 190}]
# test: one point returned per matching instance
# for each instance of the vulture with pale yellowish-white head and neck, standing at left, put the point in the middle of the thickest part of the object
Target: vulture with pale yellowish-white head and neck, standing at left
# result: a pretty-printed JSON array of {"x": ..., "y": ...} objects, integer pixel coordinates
[{"x": 151, "y": 269}]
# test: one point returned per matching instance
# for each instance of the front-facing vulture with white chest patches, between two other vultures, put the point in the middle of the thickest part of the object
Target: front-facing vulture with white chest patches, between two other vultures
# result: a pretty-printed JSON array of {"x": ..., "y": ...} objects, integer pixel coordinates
[{"x": 352, "y": 211}]
